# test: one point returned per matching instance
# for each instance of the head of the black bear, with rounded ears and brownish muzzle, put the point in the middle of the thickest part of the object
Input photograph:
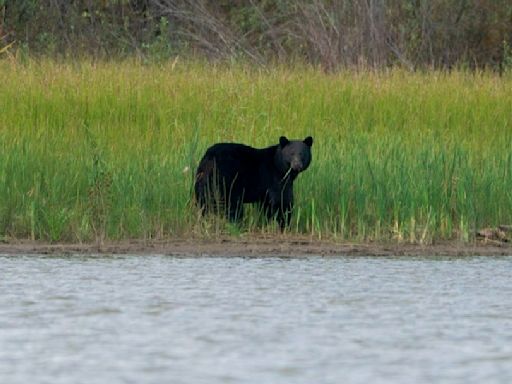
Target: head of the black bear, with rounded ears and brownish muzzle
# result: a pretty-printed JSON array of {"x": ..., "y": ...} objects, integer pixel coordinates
[{"x": 294, "y": 155}]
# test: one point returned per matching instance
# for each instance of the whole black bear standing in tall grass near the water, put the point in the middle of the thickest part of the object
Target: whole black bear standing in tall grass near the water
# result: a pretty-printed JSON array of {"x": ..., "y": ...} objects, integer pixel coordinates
[{"x": 230, "y": 175}]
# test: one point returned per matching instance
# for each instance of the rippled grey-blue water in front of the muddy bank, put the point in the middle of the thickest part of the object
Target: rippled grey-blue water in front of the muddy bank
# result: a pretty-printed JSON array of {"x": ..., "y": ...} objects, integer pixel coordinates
[{"x": 157, "y": 319}]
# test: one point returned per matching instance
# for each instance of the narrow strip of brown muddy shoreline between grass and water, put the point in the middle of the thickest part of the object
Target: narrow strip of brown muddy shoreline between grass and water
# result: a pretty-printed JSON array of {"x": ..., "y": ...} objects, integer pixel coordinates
[{"x": 257, "y": 247}]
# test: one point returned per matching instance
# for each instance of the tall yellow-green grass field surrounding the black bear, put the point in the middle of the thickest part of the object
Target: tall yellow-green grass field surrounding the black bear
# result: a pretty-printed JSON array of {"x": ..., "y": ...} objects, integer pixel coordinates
[{"x": 108, "y": 150}]
